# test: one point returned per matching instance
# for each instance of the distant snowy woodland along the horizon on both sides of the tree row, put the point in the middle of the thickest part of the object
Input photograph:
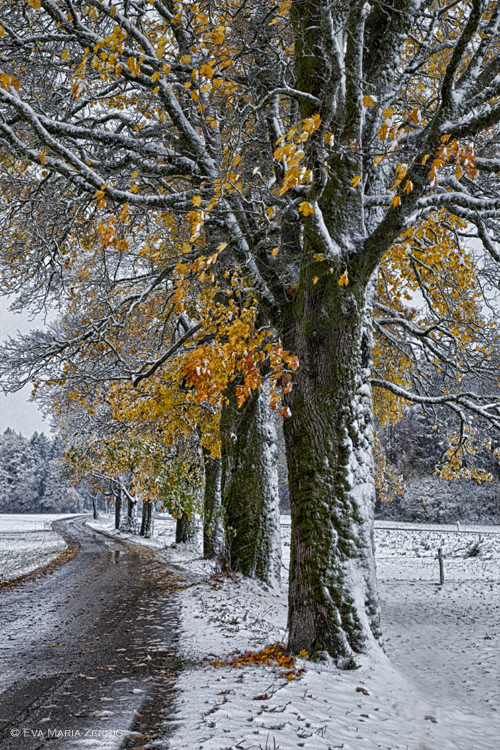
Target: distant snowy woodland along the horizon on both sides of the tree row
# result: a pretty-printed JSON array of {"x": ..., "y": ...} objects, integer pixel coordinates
[{"x": 35, "y": 478}]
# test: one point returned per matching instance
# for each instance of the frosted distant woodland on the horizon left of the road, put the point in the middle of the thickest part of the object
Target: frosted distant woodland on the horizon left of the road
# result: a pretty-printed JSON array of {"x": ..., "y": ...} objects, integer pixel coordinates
[{"x": 34, "y": 477}]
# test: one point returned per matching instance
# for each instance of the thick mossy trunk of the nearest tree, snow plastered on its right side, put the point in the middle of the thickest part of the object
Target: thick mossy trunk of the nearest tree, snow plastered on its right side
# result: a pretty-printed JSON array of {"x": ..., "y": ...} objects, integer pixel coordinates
[{"x": 333, "y": 601}]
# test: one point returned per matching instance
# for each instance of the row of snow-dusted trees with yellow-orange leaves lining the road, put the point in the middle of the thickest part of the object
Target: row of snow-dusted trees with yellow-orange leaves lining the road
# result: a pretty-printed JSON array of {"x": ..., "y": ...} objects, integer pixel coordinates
[{"x": 245, "y": 205}]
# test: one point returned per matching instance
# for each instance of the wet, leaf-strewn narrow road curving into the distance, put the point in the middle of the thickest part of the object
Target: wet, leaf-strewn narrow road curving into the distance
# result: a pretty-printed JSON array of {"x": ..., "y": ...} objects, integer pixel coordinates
[{"x": 86, "y": 655}]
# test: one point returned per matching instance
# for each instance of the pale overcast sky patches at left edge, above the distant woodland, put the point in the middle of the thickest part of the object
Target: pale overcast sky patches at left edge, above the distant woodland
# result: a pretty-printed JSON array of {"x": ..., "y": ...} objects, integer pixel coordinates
[{"x": 15, "y": 409}]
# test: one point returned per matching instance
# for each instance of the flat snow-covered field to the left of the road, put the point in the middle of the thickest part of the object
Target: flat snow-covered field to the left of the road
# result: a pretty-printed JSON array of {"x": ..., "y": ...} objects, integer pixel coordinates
[{"x": 27, "y": 542}]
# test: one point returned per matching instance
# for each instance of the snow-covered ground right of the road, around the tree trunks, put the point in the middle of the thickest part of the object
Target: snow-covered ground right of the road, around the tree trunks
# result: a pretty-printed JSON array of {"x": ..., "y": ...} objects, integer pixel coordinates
[{"x": 439, "y": 691}]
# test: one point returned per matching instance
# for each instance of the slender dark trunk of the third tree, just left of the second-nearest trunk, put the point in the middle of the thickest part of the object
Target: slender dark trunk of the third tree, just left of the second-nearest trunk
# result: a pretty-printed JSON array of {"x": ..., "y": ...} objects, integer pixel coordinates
[{"x": 213, "y": 529}]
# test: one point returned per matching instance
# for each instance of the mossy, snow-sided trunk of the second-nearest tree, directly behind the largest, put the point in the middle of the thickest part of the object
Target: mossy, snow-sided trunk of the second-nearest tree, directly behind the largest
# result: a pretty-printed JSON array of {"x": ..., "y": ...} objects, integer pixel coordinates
[{"x": 250, "y": 498}]
